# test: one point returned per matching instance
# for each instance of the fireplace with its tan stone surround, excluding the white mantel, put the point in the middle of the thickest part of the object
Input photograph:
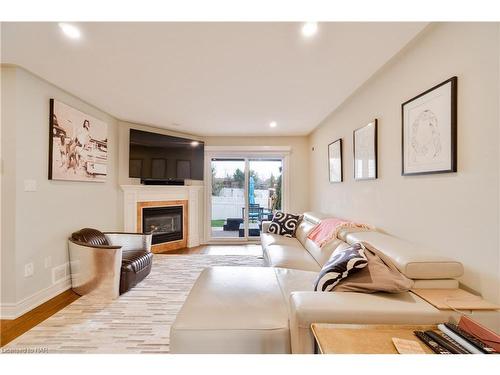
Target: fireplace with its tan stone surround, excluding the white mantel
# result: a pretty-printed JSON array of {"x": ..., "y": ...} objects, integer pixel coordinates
[{"x": 167, "y": 221}]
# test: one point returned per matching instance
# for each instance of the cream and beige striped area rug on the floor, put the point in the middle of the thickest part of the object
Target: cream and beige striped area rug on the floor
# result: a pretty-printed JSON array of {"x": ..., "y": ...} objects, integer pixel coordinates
[{"x": 137, "y": 322}]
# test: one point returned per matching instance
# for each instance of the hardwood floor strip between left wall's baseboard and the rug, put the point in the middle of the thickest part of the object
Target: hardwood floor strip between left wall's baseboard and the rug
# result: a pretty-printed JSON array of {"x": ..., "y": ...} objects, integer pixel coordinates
[{"x": 10, "y": 329}]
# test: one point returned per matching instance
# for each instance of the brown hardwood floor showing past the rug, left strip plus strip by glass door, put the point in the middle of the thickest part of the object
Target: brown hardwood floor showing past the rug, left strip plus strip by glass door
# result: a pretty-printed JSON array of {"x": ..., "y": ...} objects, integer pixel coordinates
[{"x": 10, "y": 329}]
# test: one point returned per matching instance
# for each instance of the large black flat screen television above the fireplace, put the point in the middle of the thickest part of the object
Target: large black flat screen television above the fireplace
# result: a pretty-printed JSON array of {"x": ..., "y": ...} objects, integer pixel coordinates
[{"x": 154, "y": 156}]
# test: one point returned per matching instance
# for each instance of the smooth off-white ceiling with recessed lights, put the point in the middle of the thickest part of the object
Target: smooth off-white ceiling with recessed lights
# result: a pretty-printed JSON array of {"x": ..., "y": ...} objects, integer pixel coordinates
[{"x": 209, "y": 78}]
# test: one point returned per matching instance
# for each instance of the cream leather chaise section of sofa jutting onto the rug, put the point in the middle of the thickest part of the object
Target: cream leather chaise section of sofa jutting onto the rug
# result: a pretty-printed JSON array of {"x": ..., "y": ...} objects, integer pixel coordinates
[{"x": 232, "y": 310}]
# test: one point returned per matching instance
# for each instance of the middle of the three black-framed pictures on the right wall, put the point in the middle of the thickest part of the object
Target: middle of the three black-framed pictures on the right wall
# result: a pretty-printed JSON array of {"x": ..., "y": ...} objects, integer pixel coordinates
[{"x": 365, "y": 152}]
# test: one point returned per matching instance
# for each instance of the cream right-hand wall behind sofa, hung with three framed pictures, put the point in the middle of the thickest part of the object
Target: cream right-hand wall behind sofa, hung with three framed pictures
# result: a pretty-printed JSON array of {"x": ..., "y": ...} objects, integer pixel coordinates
[{"x": 453, "y": 214}]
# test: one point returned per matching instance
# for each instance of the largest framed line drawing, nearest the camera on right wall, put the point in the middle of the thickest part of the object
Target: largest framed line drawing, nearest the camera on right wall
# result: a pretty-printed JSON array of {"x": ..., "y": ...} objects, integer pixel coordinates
[{"x": 429, "y": 131}]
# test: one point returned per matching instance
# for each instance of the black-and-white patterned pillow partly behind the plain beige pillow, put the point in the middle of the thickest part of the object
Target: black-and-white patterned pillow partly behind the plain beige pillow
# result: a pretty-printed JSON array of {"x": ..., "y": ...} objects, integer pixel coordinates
[{"x": 340, "y": 265}]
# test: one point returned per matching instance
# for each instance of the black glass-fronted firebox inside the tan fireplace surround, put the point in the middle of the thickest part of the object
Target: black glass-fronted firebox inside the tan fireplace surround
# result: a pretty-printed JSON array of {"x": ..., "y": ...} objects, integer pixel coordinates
[{"x": 164, "y": 223}]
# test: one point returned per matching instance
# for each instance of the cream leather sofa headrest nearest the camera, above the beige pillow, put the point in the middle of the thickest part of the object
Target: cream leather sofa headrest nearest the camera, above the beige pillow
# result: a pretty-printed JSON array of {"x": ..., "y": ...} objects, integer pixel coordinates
[{"x": 412, "y": 261}]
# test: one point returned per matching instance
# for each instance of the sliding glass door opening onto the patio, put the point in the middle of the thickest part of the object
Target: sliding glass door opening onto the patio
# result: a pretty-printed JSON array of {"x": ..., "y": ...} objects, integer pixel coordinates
[{"x": 244, "y": 192}]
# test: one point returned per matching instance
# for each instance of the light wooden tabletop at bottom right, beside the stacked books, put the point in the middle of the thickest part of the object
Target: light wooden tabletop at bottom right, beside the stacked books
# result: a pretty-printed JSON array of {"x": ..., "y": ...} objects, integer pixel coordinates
[{"x": 364, "y": 338}]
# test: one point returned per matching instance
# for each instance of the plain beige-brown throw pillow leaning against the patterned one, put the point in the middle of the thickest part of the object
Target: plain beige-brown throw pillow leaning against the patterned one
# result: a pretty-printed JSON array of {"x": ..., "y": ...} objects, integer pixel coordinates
[{"x": 375, "y": 277}]
